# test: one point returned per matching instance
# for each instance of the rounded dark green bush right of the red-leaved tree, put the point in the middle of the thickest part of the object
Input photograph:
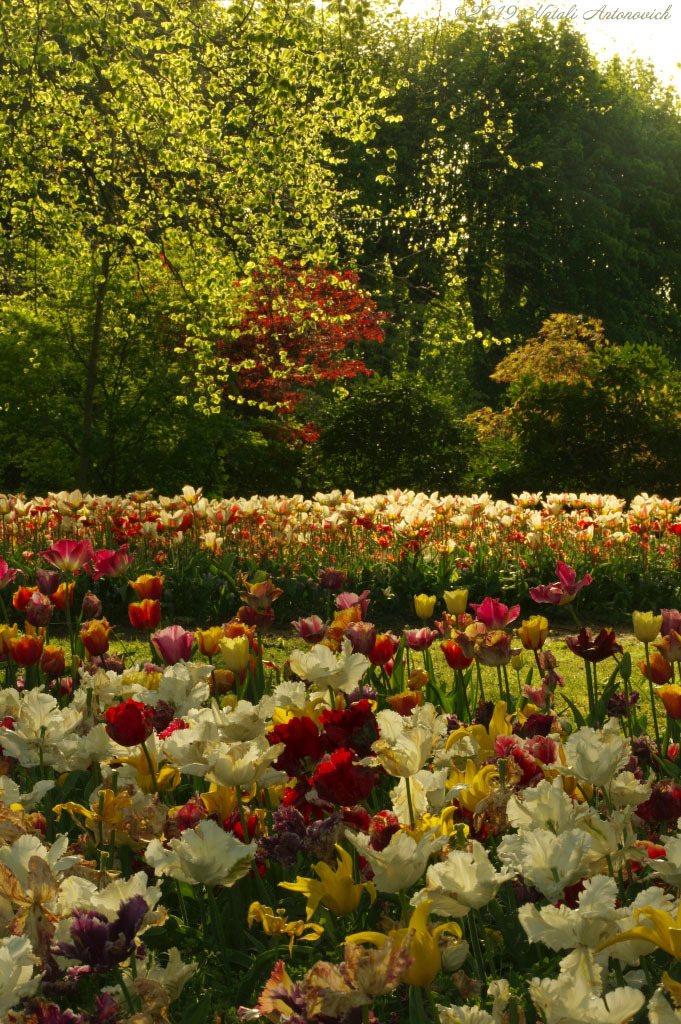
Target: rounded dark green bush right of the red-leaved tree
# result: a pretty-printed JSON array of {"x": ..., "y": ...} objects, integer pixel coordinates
[{"x": 391, "y": 434}]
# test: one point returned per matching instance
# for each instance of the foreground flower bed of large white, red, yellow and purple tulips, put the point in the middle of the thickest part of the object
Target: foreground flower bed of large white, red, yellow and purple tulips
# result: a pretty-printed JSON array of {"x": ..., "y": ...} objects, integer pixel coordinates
[{"x": 350, "y": 837}]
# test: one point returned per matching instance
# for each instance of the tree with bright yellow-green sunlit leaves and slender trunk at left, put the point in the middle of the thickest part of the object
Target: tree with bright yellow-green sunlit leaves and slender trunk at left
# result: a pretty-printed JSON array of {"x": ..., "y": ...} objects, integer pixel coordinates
[{"x": 198, "y": 132}]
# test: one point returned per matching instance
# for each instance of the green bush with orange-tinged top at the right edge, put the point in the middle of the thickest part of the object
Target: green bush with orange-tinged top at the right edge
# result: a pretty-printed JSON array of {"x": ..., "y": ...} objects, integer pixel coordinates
[{"x": 609, "y": 421}]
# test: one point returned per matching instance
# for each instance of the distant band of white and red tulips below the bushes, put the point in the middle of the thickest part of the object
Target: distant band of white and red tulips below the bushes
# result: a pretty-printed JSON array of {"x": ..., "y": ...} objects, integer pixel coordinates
[{"x": 398, "y": 544}]
